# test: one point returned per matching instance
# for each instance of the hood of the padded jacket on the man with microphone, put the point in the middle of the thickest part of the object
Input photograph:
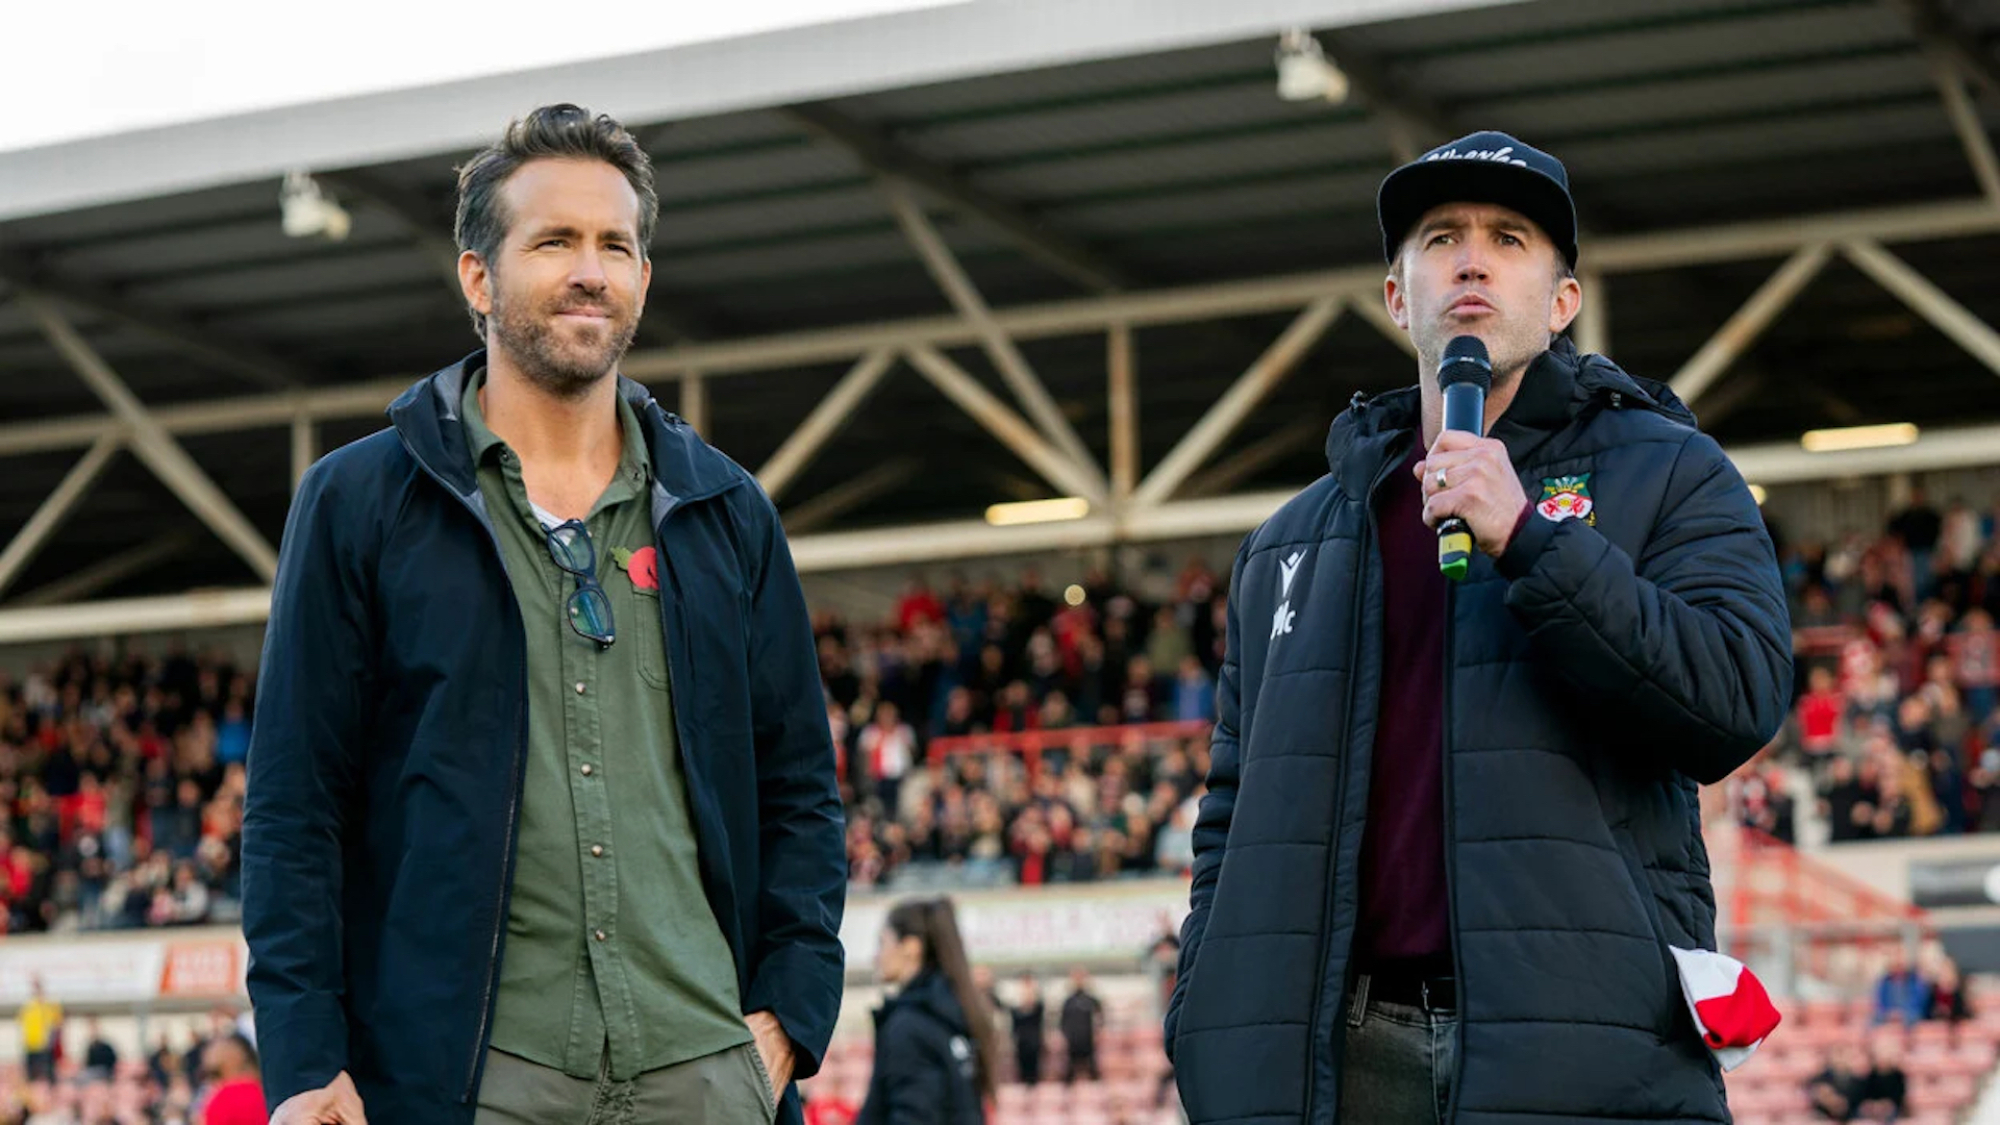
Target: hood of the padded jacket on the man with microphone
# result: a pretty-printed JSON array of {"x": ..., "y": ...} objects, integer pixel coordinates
[{"x": 1557, "y": 389}]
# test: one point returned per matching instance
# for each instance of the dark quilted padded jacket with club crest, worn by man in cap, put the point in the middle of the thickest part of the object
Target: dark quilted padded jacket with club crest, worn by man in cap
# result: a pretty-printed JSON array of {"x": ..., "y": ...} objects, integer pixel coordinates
[{"x": 1593, "y": 678}]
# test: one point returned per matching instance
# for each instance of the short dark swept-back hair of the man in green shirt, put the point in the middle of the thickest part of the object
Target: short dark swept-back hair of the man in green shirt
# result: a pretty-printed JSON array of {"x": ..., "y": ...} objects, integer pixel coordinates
[{"x": 551, "y": 133}]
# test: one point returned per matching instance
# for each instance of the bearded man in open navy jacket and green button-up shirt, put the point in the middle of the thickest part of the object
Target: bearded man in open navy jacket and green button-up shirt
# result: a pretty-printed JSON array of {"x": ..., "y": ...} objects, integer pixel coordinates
[{"x": 541, "y": 818}]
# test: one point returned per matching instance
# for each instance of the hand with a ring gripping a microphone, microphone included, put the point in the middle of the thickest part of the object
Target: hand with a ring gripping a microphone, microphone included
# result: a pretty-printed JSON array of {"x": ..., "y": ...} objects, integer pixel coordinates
[{"x": 1471, "y": 491}]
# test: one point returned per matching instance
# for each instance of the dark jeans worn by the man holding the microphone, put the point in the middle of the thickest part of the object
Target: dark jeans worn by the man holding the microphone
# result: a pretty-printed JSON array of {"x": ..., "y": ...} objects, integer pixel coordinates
[{"x": 1399, "y": 1064}]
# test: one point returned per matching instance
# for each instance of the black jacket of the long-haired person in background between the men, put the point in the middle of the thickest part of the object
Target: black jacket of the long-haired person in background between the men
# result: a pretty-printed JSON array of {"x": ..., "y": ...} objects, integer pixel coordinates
[{"x": 923, "y": 1060}]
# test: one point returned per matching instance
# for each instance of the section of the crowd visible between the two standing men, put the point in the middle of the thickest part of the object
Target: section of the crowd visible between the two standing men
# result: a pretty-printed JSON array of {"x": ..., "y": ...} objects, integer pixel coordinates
[{"x": 1135, "y": 684}]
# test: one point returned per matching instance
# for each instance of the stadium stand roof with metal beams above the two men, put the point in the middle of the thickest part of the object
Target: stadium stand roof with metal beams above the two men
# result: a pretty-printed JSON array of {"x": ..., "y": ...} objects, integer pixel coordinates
[{"x": 1083, "y": 165}]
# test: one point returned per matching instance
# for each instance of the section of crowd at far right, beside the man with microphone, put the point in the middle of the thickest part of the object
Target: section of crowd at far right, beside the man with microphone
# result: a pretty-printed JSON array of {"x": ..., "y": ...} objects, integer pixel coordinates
[{"x": 1895, "y": 730}]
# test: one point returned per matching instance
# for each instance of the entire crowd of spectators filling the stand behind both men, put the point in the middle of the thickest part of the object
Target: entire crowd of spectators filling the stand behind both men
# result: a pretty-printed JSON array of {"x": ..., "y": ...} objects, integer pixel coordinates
[{"x": 123, "y": 778}]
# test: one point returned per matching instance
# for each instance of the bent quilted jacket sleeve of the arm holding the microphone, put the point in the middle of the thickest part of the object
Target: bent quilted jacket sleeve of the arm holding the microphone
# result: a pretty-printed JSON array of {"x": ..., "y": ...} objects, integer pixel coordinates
[{"x": 1693, "y": 638}]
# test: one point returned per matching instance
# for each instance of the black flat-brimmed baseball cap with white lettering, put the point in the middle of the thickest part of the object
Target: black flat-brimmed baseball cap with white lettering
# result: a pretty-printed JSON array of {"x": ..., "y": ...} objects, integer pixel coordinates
[{"x": 1485, "y": 167}]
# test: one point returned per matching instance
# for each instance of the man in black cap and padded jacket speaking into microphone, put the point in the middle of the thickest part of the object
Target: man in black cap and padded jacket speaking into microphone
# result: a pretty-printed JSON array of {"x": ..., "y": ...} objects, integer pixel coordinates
[{"x": 1451, "y": 832}]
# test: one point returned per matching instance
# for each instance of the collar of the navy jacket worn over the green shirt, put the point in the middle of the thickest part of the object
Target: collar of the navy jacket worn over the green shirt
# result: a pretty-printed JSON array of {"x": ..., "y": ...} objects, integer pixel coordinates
[{"x": 685, "y": 467}]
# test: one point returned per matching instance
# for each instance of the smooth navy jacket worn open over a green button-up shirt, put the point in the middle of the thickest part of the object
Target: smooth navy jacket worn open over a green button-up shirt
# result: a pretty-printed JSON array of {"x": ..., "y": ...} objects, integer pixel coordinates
[{"x": 391, "y": 738}]
